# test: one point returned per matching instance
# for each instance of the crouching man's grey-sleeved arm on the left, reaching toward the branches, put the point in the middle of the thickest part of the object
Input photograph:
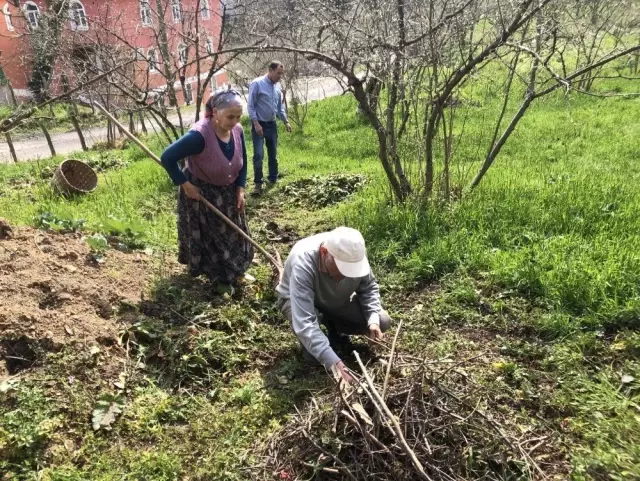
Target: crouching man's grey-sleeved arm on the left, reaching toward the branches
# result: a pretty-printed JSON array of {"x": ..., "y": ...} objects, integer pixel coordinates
[{"x": 304, "y": 319}]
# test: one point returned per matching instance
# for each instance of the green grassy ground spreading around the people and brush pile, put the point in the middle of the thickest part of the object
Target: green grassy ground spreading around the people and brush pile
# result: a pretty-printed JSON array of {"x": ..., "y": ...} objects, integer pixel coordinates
[{"x": 545, "y": 254}]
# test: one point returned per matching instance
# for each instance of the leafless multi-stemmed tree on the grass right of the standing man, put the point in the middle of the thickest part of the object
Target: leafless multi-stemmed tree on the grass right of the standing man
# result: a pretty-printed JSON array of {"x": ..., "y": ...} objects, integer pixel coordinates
[{"x": 408, "y": 63}]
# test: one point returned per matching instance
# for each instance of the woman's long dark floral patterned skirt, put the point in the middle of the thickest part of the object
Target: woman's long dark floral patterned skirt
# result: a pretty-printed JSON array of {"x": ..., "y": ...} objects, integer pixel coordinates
[{"x": 205, "y": 243}]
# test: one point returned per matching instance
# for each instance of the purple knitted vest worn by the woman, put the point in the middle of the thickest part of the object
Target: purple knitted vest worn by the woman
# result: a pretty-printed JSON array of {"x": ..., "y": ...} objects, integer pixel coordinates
[{"x": 211, "y": 165}]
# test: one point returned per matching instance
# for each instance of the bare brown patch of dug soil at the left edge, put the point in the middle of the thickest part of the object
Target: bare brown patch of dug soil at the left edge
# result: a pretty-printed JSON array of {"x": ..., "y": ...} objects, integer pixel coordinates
[{"x": 53, "y": 293}]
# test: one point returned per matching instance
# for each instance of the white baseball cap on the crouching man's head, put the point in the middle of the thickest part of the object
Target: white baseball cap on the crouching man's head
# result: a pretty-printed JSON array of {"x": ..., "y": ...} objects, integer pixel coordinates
[{"x": 346, "y": 245}]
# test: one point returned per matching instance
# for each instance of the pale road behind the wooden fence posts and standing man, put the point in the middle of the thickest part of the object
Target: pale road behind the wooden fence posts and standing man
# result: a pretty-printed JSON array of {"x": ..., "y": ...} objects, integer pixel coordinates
[{"x": 35, "y": 146}]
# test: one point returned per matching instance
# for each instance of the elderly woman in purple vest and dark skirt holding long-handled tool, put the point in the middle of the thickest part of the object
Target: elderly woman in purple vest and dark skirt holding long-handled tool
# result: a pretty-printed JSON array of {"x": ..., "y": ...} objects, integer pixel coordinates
[{"x": 216, "y": 169}]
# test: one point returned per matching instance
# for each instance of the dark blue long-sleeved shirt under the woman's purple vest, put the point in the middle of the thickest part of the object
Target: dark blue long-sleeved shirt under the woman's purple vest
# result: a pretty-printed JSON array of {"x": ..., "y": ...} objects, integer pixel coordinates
[{"x": 192, "y": 143}]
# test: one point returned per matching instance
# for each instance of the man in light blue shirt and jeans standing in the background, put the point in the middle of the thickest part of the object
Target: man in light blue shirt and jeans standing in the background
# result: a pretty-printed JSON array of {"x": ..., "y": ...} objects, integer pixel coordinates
[{"x": 265, "y": 106}]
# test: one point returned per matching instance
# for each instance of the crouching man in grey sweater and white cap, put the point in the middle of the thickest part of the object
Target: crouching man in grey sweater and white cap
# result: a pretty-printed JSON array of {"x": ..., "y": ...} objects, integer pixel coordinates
[{"x": 321, "y": 276}]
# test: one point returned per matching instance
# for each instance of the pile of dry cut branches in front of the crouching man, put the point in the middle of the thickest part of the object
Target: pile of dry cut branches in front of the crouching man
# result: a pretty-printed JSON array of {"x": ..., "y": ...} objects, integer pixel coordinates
[{"x": 412, "y": 419}]
